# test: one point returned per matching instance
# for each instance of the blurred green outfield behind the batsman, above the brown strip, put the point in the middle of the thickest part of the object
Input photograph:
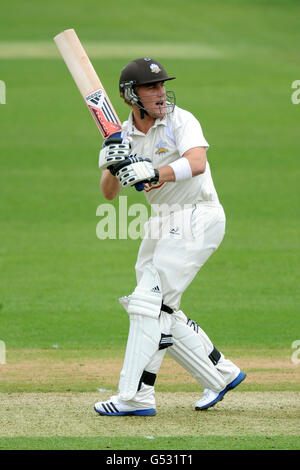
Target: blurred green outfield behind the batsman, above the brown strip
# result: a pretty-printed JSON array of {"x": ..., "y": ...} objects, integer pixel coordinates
[{"x": 235, "y": 62}]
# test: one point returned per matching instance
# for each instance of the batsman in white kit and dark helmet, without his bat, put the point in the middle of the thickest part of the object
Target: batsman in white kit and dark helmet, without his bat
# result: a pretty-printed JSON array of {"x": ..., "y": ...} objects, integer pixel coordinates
[{"x": 163, "y": 148}]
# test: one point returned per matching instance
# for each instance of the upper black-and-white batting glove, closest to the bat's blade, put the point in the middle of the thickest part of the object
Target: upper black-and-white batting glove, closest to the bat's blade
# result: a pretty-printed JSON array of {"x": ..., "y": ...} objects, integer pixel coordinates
[{"x": 113, "y": 152}]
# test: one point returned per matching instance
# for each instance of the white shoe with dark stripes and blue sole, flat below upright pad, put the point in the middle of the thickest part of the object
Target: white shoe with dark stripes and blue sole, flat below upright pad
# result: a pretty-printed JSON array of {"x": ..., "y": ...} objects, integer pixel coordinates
[{"x": 114, "y": 407}]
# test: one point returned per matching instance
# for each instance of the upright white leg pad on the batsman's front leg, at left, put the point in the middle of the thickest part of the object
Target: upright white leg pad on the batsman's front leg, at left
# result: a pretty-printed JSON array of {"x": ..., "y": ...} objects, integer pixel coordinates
[{"x": 143, "y": 307}]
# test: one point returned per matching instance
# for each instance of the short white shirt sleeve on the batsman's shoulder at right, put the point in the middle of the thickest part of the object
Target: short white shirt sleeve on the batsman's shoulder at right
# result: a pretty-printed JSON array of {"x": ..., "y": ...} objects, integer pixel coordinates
[{"x": 188, "y": 133}]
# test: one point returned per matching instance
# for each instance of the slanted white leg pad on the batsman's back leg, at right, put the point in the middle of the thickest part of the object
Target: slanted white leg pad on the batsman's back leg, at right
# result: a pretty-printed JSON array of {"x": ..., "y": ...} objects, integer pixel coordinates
[{"x": 191, "y": 350}]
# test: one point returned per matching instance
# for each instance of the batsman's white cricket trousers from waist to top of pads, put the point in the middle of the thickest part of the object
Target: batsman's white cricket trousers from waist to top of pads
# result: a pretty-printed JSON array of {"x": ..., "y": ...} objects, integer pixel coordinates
[{"x": 178, "y": 244}]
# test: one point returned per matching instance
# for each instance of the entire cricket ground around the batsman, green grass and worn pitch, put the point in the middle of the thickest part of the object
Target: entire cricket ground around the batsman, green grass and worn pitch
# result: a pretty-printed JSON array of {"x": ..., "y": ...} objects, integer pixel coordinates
[{"x": 60, "y": 318}]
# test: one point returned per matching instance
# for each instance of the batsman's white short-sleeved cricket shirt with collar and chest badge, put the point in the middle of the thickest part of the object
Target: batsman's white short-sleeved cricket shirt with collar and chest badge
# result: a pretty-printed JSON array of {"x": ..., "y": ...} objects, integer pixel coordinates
[{"x": 166, "y": 141}]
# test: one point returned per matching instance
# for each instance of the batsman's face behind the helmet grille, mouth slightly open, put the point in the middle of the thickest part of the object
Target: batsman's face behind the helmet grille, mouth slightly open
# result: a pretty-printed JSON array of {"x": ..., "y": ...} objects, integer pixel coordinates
[{"x": 153, "y": 98}]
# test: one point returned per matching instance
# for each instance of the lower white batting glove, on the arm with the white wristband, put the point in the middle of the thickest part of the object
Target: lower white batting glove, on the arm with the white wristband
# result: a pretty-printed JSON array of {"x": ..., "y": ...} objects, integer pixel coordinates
[{"x": 139, "y": 171}]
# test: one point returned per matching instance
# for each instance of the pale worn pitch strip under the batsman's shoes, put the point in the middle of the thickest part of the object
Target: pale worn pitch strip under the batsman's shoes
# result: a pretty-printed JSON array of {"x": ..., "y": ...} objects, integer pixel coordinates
[{"x": 72, "y": 414}]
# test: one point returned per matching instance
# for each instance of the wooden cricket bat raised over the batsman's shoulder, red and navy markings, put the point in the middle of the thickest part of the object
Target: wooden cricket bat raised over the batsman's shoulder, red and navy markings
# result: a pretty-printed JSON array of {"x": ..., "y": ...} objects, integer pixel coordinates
[{"x": 89, "y": 85}]
